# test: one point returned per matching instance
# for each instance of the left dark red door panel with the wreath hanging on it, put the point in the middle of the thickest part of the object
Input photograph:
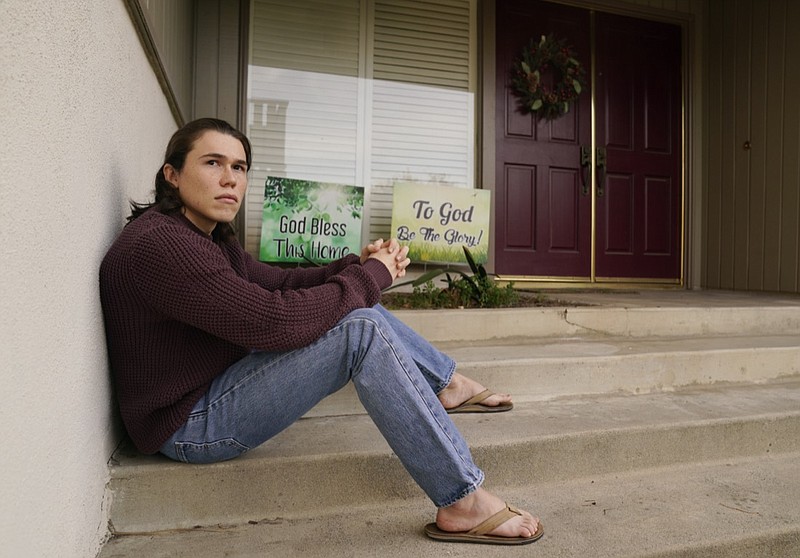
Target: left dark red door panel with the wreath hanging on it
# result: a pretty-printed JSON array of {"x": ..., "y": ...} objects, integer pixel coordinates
[{"x": 543, "y": 212}]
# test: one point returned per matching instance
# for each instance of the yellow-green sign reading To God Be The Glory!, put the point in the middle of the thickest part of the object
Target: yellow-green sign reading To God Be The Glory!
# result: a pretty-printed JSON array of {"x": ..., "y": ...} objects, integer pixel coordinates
[{"x": 436, "y": 222}]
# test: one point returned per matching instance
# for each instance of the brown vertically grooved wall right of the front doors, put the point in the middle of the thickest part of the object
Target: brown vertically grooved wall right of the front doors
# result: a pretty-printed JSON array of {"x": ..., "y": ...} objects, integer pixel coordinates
[{"x": 752, "y": 215}]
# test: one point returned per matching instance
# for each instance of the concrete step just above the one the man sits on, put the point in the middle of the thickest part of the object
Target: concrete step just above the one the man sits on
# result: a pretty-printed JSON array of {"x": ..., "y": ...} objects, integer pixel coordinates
[{"x": 535, "y": 369}]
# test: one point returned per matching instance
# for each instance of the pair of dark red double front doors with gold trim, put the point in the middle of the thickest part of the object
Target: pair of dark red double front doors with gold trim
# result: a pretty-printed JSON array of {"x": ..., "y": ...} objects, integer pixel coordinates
[{"x": 543, "y": 196}]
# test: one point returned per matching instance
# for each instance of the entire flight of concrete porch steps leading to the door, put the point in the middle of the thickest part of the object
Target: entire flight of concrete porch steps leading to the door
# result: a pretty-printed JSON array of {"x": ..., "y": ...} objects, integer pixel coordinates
[{"x": 644, "y": 426}]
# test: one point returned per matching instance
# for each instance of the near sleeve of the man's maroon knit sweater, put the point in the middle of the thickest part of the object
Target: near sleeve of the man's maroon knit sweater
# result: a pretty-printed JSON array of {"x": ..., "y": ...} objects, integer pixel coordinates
[{"x": 187, "y": 278}]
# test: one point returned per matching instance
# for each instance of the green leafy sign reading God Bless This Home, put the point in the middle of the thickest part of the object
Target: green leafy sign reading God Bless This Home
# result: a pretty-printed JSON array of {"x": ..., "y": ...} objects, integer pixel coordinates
[{"x": 308, "y": 221}]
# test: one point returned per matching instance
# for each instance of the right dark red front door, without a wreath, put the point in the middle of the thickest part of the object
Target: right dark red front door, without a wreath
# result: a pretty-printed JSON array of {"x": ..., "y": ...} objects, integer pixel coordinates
[{"x": 638, "y": 95}]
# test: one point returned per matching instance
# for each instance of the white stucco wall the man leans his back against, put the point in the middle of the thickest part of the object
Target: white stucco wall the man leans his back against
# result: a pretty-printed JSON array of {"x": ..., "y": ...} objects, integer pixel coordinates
[{"x": 83, "y": 125}]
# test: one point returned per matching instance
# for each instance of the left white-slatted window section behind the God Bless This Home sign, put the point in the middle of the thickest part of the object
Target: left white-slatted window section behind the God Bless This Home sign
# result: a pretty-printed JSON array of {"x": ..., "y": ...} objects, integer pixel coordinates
[{"x": 302, "y": 114}]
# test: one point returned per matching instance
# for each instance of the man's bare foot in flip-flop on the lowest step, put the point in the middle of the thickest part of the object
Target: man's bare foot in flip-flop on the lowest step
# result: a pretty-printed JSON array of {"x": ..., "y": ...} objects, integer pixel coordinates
[{"x": 477, "y": 507}]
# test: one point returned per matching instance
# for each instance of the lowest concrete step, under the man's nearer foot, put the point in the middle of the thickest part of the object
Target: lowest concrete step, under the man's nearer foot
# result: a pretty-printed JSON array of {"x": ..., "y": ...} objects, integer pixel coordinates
[{"x": 742, "y": 508}]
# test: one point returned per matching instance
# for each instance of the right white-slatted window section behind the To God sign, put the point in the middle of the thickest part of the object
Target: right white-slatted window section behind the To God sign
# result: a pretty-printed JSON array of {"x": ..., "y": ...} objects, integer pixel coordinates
[{"x": 422, "y": 103}]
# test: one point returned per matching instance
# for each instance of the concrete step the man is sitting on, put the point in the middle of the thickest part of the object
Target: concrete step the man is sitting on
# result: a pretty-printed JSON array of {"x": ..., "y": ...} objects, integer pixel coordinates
[{"x": 326, "y": 465}]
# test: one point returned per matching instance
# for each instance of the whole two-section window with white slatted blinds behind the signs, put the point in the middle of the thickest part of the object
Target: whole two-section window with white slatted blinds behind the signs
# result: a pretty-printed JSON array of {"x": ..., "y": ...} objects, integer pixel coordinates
[{"x": 363, "y": 92}]
